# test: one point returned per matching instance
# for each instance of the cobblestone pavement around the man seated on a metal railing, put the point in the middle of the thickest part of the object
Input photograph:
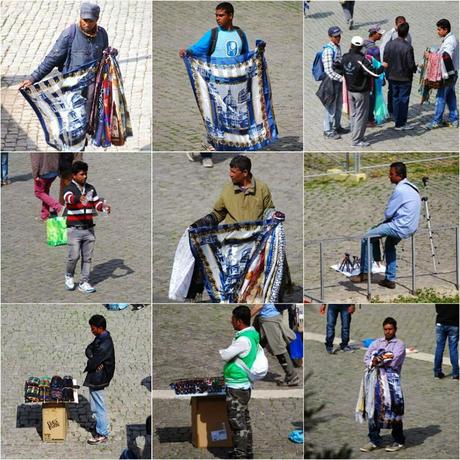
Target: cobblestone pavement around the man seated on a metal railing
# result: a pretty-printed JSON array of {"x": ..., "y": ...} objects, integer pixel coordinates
[{"x": 352, "y": 209}]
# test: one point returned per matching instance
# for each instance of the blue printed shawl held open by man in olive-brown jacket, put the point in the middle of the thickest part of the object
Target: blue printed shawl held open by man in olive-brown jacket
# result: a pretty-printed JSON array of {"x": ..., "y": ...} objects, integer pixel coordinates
[{"x": 241, "y": 262}]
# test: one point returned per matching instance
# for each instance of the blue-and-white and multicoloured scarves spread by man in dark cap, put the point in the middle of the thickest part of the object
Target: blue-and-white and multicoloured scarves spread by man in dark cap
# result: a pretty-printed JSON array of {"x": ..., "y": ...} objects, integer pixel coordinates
[{"x": 63, "y": 105}]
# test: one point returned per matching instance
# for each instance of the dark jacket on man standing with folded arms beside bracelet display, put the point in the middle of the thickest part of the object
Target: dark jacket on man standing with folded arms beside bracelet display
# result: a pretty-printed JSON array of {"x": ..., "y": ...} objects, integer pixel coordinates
[{"x": 100, "y": 352}]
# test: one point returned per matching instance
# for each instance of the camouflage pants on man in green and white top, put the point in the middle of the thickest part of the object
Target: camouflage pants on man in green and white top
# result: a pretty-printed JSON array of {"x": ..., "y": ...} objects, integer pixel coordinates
[{"x": 240, "y": 422}]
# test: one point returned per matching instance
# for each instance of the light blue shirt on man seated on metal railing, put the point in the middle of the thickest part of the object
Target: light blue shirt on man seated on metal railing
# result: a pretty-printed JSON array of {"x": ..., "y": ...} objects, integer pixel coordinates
[{"x": 403, "y": 209}]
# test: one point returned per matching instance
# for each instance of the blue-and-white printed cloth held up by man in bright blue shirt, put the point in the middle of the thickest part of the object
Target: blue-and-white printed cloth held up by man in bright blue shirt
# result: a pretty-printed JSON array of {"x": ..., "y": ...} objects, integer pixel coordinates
[{"x": 234, "y": 98}]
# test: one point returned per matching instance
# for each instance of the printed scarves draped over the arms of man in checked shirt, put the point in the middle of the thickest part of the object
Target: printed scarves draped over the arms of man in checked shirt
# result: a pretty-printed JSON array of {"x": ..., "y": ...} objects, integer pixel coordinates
[{"x": 380, "y": 396}]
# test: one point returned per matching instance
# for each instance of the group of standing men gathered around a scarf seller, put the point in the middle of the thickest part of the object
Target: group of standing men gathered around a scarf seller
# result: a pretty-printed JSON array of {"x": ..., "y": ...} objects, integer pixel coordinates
[{"x": 363, "y": 69}]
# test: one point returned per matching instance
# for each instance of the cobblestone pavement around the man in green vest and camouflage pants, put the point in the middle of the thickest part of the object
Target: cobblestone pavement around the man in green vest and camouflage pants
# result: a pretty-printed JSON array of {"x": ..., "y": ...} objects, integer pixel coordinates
[{"x": 206, "y": 329}]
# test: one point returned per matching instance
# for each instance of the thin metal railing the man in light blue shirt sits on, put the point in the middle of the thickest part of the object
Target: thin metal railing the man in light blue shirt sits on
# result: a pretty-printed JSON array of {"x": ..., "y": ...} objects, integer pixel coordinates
[{"x": 323, "y": 242}]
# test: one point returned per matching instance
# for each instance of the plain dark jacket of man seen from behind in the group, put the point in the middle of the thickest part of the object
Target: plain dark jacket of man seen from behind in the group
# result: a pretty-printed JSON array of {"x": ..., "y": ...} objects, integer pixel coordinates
[{"x": 401, "y": 62}]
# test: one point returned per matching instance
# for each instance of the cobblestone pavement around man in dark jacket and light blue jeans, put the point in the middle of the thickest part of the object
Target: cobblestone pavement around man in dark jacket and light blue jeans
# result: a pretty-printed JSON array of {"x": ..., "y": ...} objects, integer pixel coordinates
[{"x": 53, "y": 342}]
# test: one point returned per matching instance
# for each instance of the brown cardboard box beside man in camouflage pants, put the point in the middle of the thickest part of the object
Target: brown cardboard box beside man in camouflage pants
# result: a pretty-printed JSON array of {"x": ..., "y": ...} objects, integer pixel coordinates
[{"x": 210, "y": 426}]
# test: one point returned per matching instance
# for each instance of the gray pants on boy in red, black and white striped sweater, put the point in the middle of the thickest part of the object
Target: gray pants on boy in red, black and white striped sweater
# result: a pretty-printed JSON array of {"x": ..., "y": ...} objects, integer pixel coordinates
[{"x": 80, "y": 241}]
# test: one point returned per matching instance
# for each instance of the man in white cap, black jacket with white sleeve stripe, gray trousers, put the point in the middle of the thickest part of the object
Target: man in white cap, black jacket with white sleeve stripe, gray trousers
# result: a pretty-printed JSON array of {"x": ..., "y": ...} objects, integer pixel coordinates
[{"x": 358, "y": 71}]
